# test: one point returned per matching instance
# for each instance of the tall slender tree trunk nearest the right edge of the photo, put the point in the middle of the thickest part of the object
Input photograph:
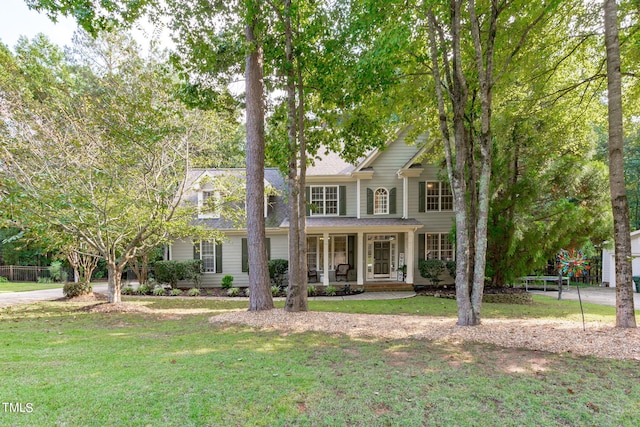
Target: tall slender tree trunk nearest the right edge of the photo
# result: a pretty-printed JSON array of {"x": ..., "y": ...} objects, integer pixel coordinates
[{"x": 625, "y": 314}]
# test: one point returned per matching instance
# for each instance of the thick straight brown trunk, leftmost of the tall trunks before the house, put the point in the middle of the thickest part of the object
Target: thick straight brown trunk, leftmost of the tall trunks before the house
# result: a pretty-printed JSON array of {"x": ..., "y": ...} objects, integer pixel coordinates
[{"x": 259, "y": 285}]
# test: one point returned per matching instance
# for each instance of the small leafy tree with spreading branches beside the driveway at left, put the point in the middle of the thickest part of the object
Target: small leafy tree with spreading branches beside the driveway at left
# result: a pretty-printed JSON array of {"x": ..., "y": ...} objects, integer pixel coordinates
[{"x": 101, "y": 154}]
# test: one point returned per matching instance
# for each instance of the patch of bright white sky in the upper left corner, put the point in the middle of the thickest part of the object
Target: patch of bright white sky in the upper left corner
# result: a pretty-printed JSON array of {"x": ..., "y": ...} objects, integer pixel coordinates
[{"x": 17, "y": 19}]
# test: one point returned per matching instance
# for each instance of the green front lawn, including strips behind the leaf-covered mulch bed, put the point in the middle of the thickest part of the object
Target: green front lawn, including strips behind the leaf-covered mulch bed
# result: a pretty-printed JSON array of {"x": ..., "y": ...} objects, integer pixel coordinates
[{"x": 174, "y": 368}]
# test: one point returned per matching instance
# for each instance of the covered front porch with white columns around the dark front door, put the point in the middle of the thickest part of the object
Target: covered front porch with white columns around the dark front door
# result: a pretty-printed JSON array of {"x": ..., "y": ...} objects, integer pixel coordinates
[{"x": 375, "y": 252}]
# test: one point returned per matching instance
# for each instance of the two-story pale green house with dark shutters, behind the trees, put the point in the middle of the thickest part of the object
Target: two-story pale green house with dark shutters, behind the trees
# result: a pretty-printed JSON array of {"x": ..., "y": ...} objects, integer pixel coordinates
[{"x": 388, "y": 211}]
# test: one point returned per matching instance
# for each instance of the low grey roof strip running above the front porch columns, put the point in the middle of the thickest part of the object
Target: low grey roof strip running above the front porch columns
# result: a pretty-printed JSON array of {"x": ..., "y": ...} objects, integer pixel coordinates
[{"x": 353, "y": 224}]
